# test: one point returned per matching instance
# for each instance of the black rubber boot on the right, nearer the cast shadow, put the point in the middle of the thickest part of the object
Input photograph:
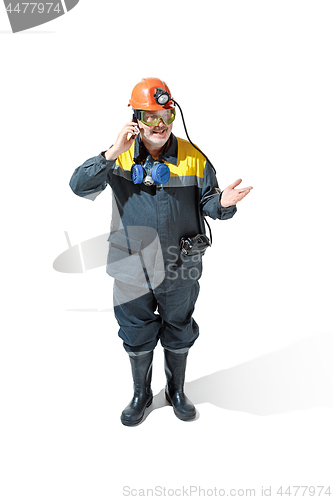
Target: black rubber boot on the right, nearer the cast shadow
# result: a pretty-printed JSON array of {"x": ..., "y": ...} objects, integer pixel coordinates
[{"x": 175, "y": 366}]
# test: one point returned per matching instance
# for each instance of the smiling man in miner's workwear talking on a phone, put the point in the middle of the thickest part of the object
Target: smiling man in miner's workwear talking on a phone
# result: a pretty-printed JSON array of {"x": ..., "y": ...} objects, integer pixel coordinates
[{"x": 162, "y": 188}]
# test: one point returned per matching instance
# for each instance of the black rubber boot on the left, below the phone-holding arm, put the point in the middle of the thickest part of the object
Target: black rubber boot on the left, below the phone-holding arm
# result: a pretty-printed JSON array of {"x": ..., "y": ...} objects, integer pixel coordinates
[{"x": 143, "y": 396}]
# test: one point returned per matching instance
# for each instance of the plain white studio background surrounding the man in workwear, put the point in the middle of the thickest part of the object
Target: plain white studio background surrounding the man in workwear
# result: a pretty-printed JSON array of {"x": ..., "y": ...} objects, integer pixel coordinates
[{"x": 254, "y": 79}]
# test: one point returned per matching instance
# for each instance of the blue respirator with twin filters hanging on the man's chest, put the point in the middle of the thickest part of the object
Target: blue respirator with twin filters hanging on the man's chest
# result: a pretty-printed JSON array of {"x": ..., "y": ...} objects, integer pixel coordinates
[{"x": 152, "y": 172}]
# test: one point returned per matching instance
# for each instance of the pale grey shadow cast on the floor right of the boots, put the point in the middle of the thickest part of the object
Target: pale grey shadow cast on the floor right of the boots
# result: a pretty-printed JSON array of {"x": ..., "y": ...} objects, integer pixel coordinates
[{"x": 298, "y": 377}]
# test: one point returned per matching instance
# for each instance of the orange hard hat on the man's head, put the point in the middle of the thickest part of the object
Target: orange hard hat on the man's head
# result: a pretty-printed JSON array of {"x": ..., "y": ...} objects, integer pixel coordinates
[{"x": 143, "y": 95}]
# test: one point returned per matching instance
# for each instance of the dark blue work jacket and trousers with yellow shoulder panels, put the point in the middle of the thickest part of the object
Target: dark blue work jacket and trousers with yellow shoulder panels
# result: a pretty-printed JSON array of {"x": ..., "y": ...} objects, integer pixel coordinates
[{"x": 147, "y": 224}]
